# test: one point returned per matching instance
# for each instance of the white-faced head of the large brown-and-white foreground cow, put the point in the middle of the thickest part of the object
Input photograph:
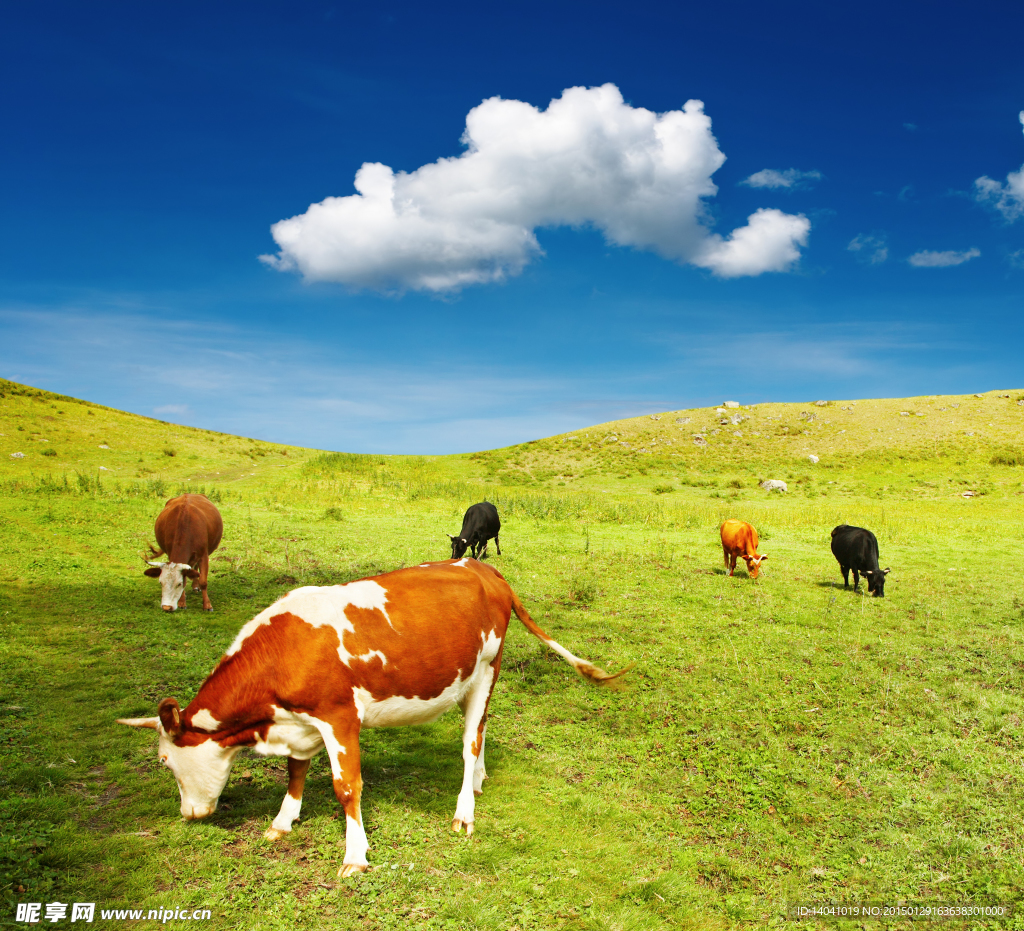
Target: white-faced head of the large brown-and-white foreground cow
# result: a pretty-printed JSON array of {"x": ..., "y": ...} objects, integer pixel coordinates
[{"x": 200, "y": 766}]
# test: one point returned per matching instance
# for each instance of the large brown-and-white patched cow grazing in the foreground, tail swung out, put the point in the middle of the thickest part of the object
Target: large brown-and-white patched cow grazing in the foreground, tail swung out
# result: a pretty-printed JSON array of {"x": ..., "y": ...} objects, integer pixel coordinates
[{"x": 321, "y": 664}]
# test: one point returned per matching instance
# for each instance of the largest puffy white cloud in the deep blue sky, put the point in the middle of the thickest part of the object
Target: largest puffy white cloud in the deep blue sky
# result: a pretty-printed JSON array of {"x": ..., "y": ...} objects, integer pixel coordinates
[{"x": 589, "y": 159}]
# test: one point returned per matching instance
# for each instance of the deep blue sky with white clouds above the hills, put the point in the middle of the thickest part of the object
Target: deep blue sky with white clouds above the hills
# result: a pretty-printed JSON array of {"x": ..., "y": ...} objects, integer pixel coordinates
[{"x": 586, "y": 257}]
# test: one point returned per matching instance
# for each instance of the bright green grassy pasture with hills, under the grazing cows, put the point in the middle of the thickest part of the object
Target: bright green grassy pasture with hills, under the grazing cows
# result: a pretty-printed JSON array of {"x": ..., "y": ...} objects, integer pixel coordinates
[{"x": 780, "y": 742}]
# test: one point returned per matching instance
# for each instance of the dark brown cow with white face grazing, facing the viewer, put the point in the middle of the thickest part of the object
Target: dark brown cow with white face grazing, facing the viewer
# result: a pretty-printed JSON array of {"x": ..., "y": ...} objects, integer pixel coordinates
[{"x": 188, "y": 530}]
